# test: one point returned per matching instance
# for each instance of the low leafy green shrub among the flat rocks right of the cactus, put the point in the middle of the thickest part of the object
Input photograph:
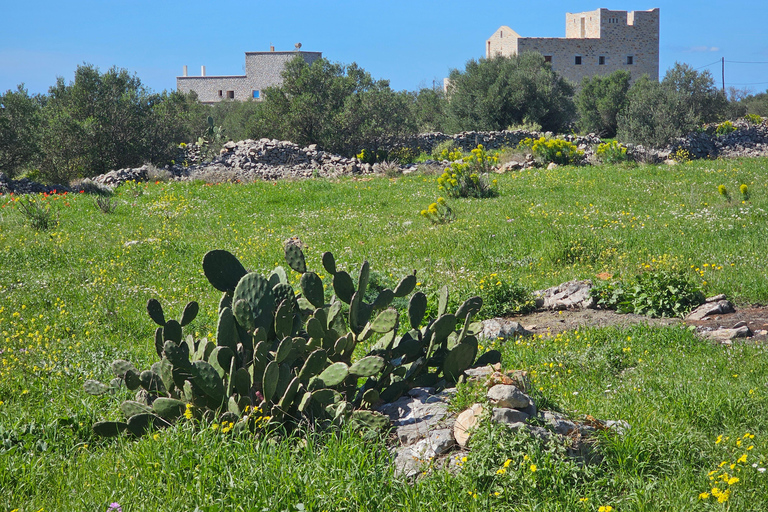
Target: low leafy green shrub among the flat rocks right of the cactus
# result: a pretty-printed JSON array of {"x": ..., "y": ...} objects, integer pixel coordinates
[{"x": 656, "y": 293}]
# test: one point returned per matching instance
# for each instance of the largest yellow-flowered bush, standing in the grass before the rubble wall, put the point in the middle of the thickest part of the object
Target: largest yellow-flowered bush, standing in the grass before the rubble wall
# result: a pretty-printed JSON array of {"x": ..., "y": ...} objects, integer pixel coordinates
[{"x": 468, "y": 177}]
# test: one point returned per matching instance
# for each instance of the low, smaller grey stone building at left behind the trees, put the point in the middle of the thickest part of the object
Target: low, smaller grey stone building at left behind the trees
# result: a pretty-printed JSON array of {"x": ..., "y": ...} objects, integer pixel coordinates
[{"x": 262, "y": 70}]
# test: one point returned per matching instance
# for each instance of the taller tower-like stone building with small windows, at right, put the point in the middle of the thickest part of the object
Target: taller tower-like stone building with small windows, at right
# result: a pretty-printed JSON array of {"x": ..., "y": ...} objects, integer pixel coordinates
[{"x": 595, "y": 43}]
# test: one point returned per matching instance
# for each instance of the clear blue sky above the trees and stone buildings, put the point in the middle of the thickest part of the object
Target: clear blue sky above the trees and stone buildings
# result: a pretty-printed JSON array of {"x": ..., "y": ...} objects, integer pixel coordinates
[{"x": 411, "y": 43}]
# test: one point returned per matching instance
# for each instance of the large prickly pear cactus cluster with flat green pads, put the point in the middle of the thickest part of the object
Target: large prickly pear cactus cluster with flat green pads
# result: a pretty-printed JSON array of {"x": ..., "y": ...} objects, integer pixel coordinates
[{"x": 289, "y": 357}]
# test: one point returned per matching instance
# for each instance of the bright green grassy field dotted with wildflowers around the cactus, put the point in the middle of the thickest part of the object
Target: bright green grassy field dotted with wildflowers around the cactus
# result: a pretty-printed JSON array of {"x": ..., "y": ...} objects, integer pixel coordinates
[{"x": 72, "y": 299}]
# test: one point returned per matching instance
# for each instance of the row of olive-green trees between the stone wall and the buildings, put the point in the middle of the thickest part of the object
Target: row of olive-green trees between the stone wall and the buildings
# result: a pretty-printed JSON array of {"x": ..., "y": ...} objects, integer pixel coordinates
[{"x": 104, "y": 121}]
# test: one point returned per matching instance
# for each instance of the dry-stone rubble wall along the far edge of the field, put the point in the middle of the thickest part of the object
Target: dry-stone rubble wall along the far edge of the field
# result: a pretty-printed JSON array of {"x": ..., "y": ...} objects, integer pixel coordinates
[{"x": 270, "y": 159}]
